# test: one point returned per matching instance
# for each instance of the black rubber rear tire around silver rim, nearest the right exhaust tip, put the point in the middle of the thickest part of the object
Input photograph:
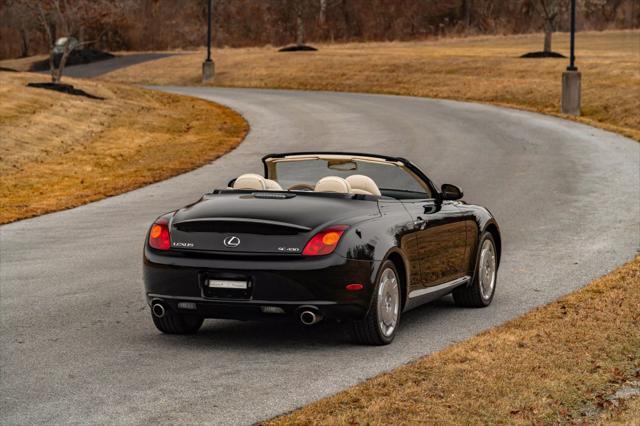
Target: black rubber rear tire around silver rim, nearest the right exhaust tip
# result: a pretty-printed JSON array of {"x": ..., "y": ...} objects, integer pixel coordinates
[{"x": 368, "y": 331}]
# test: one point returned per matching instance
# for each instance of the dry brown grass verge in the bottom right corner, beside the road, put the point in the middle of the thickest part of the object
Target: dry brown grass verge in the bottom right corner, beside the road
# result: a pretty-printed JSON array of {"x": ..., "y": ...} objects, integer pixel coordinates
[{"x": 544, "y": 367}]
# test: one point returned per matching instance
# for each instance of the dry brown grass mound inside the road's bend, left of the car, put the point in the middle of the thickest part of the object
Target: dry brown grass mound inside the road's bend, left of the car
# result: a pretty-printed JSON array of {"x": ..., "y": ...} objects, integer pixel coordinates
[{"x": 60, "y": 151}]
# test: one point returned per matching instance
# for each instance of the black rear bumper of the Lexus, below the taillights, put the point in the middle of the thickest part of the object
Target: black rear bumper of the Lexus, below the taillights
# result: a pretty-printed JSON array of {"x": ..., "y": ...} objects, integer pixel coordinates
[{"x": 285, "y": 283}]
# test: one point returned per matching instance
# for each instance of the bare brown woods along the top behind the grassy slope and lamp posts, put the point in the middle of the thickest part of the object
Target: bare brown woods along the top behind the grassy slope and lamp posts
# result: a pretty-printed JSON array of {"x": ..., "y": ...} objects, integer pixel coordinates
[{"x": 175, "y": 24}]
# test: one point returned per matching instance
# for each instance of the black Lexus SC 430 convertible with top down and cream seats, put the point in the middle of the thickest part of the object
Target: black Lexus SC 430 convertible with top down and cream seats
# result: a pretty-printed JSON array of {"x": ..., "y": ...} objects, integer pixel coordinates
[{"x": 322, "y": 235}]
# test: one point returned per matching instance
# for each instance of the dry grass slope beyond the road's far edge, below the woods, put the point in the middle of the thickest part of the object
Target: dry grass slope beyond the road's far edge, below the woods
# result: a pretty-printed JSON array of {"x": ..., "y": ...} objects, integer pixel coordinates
[{"x": 483, "y": 69}]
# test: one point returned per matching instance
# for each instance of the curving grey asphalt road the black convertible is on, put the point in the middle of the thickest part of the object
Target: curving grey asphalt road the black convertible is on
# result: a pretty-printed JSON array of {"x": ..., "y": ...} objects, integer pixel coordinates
[{"x": 78, "y": 345}]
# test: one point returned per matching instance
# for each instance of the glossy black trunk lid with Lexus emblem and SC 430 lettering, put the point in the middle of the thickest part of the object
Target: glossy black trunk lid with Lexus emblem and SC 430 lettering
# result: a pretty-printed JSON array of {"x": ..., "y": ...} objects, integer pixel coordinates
[{"x": 262, "y": 223}]
